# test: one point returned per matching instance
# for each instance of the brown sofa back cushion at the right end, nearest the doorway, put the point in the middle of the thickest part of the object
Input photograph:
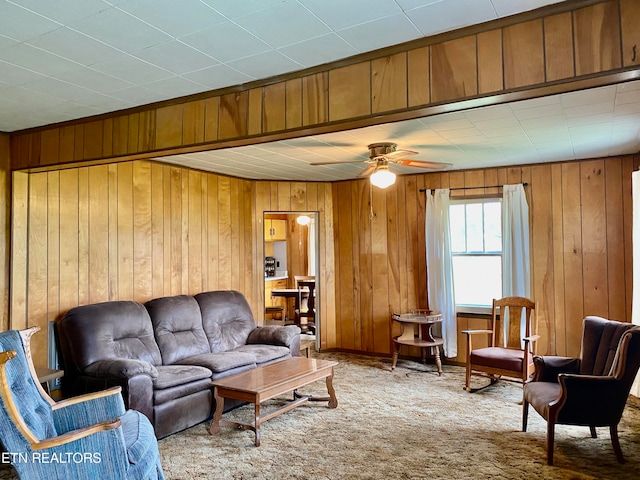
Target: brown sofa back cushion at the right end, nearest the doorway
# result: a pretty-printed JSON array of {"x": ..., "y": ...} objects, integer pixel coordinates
[{"x": 226, "y": 318}]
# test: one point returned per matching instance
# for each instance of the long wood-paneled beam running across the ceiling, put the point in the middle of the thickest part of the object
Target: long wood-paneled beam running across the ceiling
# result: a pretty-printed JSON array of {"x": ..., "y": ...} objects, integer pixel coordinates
[{"x": 447, "y": 72}]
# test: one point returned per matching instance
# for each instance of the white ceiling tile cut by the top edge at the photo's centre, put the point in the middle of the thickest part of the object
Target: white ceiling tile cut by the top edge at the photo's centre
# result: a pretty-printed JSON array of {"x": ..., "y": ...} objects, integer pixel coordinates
[{"x": 340, "y": 14}]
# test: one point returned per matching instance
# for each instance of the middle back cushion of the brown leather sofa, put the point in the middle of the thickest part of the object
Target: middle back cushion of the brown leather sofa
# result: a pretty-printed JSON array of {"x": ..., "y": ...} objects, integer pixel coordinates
[{"x": 177, "y": 324}]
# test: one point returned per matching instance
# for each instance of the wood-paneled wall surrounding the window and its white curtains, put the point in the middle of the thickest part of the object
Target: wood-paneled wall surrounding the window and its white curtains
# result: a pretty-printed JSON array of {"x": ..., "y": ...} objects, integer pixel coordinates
[{"x": 581, "y": 255}]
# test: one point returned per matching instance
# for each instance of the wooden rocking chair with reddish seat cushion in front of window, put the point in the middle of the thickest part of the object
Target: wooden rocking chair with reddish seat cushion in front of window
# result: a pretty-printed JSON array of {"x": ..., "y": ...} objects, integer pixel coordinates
[{"x": 509, "y": 355}]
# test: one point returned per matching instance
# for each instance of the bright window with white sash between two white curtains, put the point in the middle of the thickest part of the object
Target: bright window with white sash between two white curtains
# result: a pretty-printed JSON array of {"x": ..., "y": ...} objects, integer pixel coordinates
[{"x": 476, "y": 247}]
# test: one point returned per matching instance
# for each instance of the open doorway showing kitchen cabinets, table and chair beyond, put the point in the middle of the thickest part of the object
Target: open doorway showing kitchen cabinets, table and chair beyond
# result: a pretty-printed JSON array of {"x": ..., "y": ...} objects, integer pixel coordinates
[{"x": 291, "y": 256}]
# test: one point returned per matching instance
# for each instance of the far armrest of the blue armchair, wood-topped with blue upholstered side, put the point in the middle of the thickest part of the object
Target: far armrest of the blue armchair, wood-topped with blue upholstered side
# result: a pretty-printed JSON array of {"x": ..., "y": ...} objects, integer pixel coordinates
[{"x": 89, "y": 409}]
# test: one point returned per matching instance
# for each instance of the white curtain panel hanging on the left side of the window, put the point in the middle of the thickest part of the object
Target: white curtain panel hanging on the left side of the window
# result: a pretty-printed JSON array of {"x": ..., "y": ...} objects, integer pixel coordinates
[{"x": 440, "y": 268}]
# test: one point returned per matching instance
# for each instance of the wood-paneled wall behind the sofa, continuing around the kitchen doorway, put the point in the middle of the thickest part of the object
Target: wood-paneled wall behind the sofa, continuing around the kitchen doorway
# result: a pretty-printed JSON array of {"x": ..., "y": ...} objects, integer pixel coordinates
[{"x": 141, "y": 230}]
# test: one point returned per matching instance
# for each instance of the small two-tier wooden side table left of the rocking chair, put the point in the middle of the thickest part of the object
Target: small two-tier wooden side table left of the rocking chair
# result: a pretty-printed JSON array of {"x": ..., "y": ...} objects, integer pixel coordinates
[{"x": 416, "y": 332}]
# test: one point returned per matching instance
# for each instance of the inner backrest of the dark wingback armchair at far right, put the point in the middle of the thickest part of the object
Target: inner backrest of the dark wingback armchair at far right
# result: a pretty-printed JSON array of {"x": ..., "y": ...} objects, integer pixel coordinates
[{"x": 600, "y": 341}]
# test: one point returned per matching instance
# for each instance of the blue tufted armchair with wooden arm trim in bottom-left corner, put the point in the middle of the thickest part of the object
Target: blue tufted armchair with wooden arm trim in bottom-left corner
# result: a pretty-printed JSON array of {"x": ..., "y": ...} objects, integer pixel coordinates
[{"x": 90, "y": 436}]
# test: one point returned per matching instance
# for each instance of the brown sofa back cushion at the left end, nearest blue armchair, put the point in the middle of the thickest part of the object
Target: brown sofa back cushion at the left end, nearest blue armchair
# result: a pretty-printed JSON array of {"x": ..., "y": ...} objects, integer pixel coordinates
[{"x": 120, "y": 329}]
